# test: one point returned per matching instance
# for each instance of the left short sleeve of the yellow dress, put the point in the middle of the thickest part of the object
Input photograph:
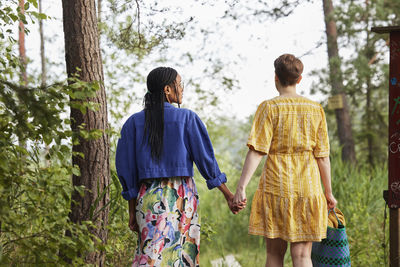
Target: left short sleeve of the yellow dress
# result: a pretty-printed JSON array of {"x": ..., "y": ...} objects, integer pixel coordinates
[{"x": 262, "y": 130}]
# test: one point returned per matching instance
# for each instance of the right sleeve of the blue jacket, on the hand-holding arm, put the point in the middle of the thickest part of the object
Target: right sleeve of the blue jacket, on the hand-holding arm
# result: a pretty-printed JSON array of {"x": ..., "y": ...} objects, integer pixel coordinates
[{"x": 202, "y": 153}]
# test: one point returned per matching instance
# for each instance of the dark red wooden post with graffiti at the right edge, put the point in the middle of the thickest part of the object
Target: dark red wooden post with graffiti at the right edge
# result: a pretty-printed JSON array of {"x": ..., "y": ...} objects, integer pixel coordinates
[{"x": 393, "y": 197}]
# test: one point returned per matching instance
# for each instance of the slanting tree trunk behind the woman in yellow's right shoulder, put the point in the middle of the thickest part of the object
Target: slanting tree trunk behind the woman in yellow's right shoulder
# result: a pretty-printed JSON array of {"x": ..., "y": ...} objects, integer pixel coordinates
[{"x": 342, "y": 115}]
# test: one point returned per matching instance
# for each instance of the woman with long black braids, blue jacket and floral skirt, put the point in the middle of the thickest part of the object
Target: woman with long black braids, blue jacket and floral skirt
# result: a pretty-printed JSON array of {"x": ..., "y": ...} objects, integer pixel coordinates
[{"x": 154, "y": 162}]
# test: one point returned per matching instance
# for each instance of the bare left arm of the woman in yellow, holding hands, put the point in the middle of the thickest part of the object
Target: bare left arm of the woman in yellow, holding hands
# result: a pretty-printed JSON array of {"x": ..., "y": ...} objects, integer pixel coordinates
[{"x": 251, "y": 162}]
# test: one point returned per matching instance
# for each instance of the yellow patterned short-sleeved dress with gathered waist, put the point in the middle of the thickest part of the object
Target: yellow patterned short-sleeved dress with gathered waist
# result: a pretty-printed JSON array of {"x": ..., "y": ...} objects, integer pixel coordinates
[{"x": 289, "y": 202}]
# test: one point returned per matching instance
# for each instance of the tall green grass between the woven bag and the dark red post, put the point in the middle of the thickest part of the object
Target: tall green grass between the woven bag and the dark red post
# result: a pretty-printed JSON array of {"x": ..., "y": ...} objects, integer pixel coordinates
[{"x": 359, "y": 194}]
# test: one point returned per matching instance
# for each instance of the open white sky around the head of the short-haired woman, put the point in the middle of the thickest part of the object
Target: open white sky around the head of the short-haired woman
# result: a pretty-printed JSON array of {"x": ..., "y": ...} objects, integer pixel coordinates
[{"x": 297, "y": 34}]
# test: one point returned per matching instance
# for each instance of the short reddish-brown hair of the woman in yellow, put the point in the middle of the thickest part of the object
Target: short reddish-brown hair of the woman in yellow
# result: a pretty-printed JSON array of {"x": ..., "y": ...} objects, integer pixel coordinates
[{"x": 288, "y": 68}]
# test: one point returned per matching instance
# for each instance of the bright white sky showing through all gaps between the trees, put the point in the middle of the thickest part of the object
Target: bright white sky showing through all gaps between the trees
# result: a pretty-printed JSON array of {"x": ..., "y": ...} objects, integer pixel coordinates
[{"x": 258, "y": 45}]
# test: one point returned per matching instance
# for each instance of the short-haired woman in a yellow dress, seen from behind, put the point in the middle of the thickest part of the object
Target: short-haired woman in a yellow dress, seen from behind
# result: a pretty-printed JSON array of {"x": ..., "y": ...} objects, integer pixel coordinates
[{"x": 289, "y": 204}]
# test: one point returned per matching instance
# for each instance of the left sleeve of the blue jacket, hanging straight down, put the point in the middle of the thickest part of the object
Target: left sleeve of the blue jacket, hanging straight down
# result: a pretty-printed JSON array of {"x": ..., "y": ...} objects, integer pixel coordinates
[{"x": 125, "y": 162}]
